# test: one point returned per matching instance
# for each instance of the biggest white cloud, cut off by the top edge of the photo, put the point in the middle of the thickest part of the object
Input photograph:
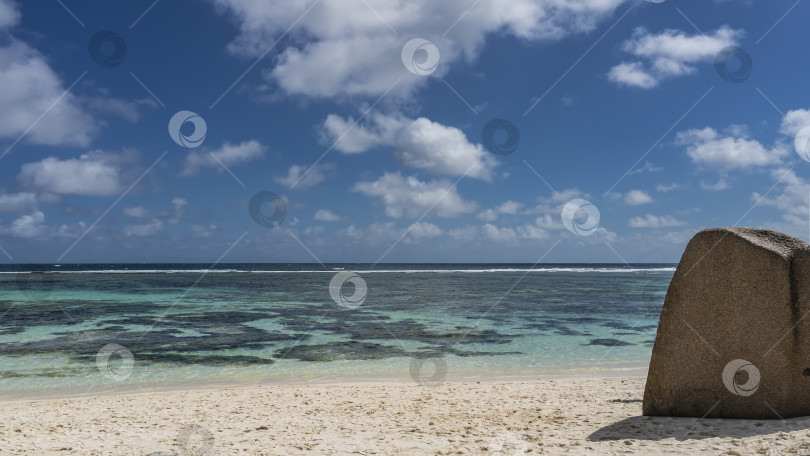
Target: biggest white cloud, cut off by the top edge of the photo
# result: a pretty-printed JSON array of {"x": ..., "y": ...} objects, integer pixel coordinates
[{"x": 347, "y": 48}]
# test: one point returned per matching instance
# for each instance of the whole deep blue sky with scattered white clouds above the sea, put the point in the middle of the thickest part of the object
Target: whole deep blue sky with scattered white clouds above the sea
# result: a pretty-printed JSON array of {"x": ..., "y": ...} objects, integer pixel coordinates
[{"x": 376, "y": 153}]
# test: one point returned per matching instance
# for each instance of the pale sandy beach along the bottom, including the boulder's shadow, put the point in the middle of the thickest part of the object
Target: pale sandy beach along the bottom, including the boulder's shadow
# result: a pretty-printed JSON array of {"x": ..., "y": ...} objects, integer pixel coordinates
[{"x": 564, "y": 416}]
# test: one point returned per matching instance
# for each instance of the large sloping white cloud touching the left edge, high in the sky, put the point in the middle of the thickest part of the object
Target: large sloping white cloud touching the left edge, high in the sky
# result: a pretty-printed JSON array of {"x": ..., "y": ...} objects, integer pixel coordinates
[{"x": 29, "y": 88}]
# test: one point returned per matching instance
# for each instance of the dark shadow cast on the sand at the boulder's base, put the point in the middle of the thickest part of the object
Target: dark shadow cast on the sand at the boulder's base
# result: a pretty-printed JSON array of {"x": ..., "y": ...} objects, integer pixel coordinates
[{"x": 660, "y": 428}]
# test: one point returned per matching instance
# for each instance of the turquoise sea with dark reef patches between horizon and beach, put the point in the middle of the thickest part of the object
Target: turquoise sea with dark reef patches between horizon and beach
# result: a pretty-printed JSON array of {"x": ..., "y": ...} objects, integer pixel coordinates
[{"x": 73, "y": 329}]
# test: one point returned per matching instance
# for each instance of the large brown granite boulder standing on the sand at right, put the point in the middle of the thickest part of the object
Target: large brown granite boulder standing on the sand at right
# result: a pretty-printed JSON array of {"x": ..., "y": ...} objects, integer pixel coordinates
[{"x": 733, "y": 340}]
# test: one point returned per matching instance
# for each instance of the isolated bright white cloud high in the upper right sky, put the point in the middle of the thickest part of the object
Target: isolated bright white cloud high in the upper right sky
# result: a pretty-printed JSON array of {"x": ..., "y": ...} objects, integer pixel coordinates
[{"x": 668, "y": 54}]
